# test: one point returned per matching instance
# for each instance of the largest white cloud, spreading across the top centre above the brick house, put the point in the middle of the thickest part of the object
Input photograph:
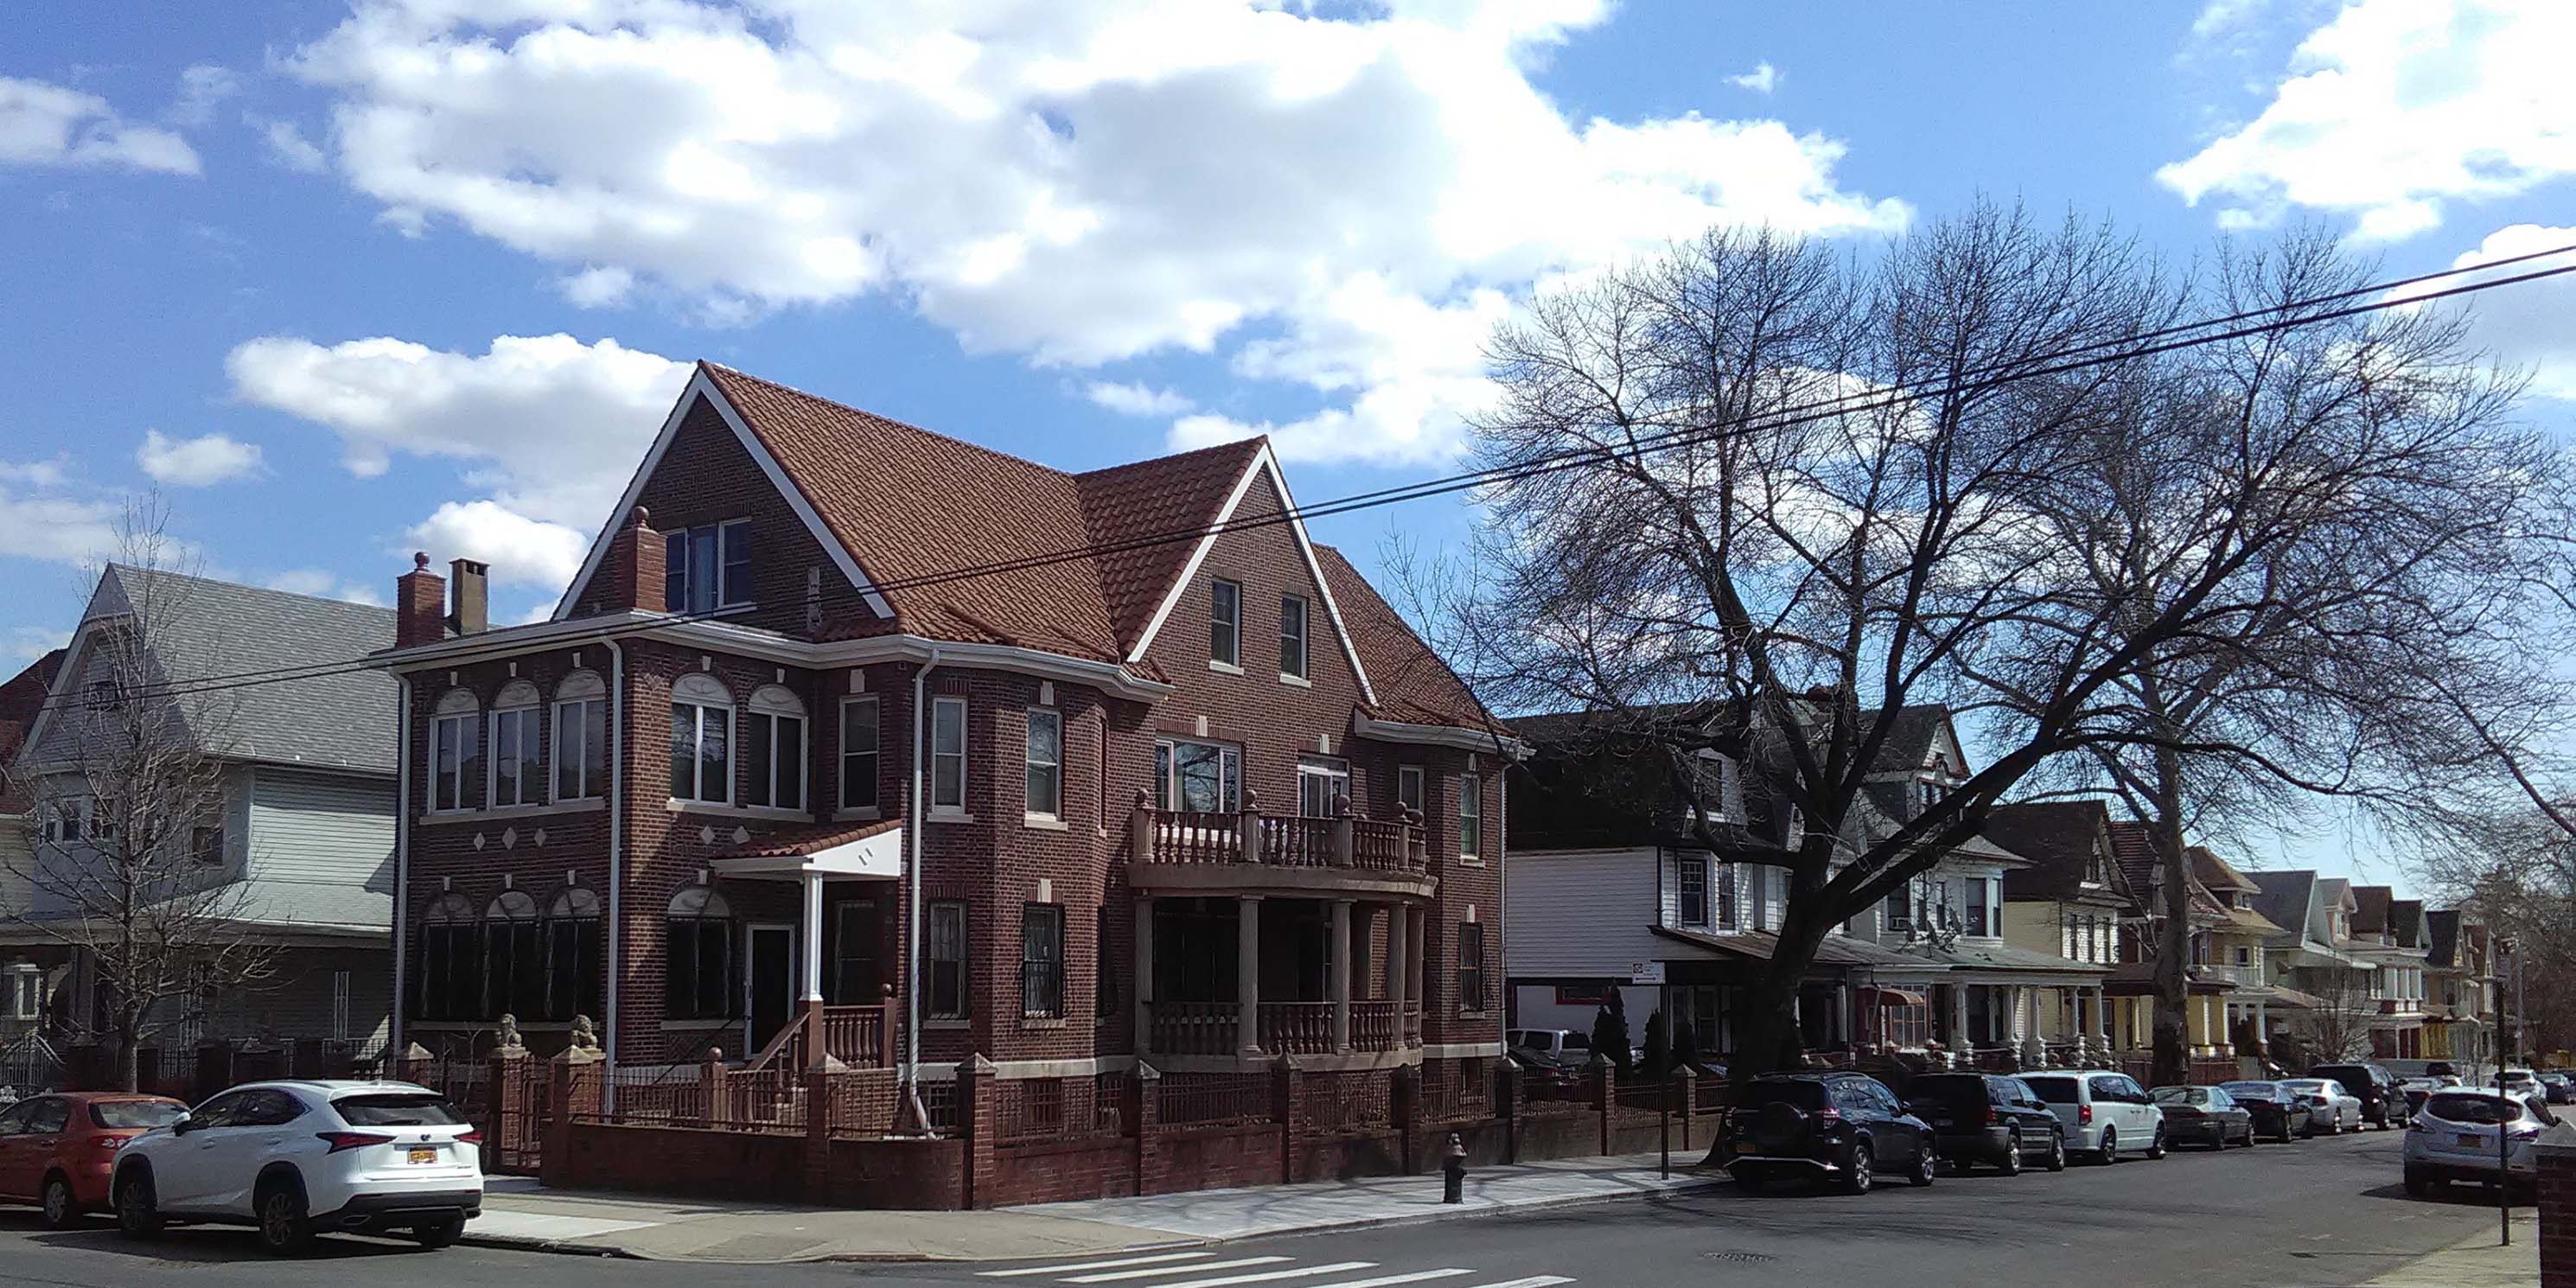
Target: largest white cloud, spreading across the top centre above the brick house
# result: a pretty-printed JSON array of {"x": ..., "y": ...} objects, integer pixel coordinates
[{"x": 1075, "y": 182}]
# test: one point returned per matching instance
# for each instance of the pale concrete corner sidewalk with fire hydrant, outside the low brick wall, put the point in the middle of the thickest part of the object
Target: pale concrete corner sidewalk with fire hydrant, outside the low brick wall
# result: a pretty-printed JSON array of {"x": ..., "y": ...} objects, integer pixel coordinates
[{"x": 527, "y": 1215}]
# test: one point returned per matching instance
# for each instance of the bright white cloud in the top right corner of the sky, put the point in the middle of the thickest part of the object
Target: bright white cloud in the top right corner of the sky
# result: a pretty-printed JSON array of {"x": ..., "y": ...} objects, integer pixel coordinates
[{"x": 2394, "y": 109}]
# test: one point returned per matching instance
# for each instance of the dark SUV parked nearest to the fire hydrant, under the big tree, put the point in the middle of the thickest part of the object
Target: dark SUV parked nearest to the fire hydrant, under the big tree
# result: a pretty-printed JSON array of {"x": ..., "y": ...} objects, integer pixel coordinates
[{"x": 1830, "y": 1127}]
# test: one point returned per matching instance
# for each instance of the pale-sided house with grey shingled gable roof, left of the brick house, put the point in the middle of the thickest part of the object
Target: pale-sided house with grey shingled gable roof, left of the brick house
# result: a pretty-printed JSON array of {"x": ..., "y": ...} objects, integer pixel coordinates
[{"x": 308, "y": 818}]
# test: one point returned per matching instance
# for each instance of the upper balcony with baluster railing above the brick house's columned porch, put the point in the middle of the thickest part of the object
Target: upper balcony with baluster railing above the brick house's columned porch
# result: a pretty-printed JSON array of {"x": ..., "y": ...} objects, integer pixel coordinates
[{"x": 1179, "y": 851}]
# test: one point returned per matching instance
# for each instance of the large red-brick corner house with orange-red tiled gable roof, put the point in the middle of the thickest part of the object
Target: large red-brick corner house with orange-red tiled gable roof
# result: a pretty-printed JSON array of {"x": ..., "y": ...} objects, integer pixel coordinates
[{"x": 1158, "y": 782}]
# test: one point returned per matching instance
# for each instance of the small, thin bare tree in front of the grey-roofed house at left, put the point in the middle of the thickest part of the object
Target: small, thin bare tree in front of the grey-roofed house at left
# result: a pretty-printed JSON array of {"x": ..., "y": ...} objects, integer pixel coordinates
[{"x": 130, "y": 797}]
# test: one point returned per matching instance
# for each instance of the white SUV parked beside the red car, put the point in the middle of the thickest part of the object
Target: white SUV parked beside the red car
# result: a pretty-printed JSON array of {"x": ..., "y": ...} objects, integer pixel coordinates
[{"x": 300, "y": 1158}]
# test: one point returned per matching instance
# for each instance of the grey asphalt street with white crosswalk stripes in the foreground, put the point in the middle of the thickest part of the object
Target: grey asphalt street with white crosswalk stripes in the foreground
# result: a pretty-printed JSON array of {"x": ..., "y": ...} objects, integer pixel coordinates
[{"x": 2309, "y": 1215}]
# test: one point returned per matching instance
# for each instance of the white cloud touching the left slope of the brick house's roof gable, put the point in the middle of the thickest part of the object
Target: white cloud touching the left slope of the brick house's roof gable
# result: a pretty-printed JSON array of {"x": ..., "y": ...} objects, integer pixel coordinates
[{"x": 550, "y": 426}]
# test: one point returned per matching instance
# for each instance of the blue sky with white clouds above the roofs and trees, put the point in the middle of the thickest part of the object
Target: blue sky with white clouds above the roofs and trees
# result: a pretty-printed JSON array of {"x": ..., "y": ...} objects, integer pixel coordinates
[{"x": 421, "y": 274}]
